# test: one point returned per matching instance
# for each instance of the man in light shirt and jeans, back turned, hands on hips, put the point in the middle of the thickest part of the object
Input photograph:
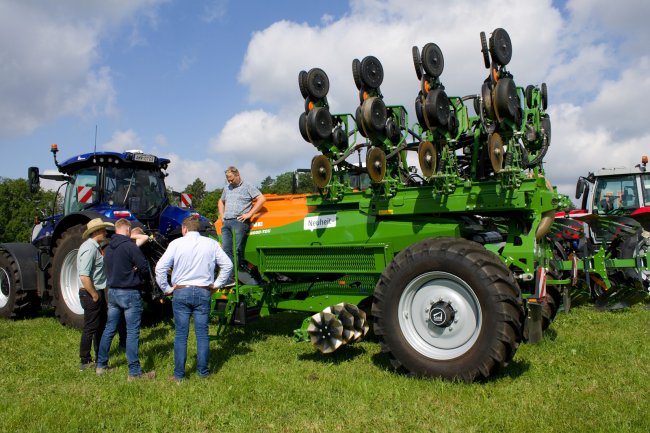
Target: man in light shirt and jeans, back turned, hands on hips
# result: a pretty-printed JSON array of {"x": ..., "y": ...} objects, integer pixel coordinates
[{"x": 192, "y": 259}]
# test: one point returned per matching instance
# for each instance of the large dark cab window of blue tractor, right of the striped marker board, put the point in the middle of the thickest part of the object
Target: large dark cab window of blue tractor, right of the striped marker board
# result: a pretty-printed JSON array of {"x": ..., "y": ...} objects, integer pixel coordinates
[{"x": 141, "y": 191}]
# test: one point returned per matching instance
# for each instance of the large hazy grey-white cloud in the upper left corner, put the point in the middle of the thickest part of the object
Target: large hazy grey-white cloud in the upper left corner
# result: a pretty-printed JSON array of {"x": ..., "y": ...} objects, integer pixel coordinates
[{"x": 49, "y": 61}]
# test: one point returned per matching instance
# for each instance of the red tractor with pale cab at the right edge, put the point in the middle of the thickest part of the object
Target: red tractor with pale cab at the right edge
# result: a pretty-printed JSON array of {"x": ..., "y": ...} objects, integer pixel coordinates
[{"x": 611, "y": 225}]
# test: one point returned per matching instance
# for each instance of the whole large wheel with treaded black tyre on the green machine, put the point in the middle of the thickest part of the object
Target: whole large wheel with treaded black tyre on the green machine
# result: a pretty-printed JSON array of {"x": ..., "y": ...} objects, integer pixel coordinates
[{"x": 448, "y": 308}]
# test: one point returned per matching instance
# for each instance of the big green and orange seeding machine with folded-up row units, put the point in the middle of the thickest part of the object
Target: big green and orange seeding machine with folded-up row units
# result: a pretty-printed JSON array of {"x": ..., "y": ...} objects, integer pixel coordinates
[{"x": 452, "y": 260}]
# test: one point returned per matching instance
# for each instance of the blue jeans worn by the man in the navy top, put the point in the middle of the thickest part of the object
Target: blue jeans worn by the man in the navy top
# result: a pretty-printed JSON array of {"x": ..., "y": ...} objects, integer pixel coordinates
[{"x": 129, "y": 302}]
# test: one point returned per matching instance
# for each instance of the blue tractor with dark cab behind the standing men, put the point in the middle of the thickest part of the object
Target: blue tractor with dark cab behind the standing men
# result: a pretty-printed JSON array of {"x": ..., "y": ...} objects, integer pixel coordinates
[{"x": 106, "y": 185}]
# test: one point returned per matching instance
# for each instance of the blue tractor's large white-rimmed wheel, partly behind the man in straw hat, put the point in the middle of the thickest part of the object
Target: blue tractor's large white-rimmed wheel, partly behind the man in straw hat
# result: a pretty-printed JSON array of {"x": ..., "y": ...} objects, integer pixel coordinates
[{"x": 65, "y": 280}]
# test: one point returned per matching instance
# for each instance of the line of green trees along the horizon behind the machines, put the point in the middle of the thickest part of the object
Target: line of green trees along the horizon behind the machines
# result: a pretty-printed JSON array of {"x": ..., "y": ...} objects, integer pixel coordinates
[{"x": 19, "y": 208}]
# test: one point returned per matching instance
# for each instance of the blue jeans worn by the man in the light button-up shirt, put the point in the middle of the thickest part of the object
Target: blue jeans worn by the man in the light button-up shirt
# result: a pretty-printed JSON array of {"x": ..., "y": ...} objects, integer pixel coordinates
[{"x": 188, "y": 301}]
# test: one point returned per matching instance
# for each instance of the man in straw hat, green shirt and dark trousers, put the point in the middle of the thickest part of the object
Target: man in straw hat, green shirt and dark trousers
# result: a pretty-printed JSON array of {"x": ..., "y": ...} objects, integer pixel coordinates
[{"x": 90, "y": 267}]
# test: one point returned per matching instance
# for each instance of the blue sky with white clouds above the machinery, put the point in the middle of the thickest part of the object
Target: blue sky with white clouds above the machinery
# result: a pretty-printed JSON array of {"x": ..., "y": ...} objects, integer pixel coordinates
[{"x": 213, "y": 83}]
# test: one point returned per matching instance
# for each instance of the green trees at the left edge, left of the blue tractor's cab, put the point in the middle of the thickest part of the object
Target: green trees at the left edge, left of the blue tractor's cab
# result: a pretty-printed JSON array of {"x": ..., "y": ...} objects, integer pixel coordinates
[{"x": 19, "y": 209}]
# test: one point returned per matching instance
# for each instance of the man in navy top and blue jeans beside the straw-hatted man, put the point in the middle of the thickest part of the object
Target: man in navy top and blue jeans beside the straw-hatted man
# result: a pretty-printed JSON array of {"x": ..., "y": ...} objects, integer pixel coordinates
[{"x": 126, "y": 270}]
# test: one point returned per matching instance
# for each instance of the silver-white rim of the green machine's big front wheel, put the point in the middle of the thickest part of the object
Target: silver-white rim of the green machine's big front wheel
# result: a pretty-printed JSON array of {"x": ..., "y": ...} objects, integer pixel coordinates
[{"x": 446, "y": 340}]
